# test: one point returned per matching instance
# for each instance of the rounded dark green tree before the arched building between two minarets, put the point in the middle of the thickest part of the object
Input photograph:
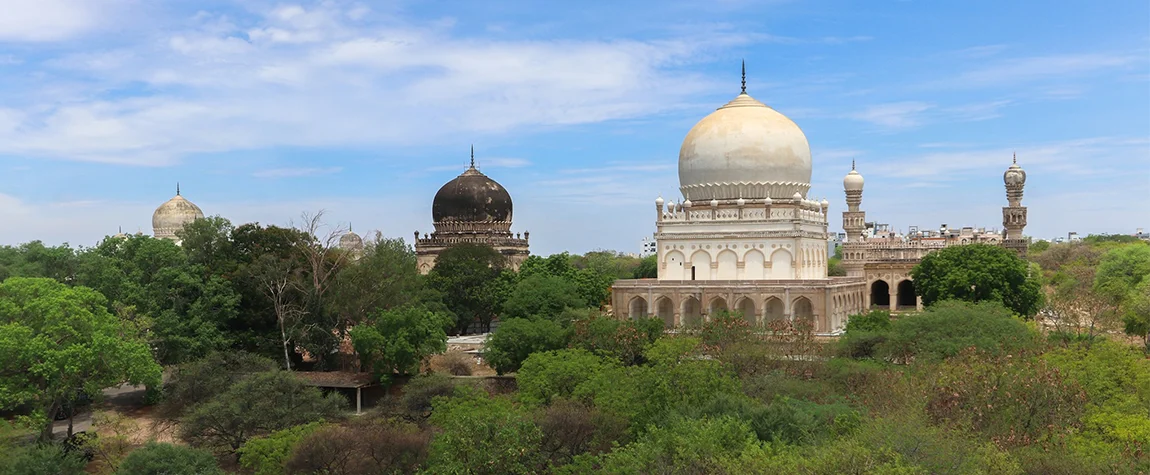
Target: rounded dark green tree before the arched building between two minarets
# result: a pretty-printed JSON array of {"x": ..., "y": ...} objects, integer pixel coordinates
[{"x": 978, "y": 273}]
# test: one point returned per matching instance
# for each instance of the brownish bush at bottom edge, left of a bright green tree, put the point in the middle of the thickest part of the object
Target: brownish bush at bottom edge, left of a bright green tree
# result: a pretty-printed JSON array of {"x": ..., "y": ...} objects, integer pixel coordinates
[{"x": 366, "y": 449}]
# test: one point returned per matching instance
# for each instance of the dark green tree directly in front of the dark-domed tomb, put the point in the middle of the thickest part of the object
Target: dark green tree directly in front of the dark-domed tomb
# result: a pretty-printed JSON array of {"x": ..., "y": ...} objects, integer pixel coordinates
[{"x": 473, "y": 284}]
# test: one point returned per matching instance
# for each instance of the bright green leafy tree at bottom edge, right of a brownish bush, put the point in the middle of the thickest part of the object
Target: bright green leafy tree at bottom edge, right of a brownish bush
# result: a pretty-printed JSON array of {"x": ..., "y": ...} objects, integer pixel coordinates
[{"x": 484, "y": 435}]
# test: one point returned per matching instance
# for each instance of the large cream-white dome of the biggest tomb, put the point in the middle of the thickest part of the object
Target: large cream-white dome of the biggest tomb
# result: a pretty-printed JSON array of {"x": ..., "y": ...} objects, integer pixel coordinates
[{"x": 745, "y": 150}]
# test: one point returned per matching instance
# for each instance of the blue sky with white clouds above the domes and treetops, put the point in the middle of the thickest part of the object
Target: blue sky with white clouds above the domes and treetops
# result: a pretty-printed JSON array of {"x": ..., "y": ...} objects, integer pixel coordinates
[{"x": 264, "y": 111}]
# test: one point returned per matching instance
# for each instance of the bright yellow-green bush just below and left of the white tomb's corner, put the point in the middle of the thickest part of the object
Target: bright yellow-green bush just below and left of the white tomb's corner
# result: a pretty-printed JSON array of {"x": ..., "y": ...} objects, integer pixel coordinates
[{"x": 557, "y": 374}]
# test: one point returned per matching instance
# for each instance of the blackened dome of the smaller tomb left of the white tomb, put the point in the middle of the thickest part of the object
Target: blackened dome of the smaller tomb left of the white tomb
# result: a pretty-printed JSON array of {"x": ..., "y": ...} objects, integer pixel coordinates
[{"x": 472, "y": 197}]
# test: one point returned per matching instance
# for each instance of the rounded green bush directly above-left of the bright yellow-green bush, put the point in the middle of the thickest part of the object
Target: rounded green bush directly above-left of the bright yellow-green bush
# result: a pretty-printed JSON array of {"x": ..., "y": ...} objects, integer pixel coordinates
[{"x": 517, "y": 339}]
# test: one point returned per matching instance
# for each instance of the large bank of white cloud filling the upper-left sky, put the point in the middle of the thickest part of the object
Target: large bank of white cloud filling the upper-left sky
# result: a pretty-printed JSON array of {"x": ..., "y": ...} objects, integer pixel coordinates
[{"x": 313, "y": 78}]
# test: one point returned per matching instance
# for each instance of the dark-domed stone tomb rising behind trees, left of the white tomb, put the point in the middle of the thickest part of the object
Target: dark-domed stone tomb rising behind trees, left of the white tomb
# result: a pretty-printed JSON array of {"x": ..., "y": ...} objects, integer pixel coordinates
[{"x": 472, "y": 209}]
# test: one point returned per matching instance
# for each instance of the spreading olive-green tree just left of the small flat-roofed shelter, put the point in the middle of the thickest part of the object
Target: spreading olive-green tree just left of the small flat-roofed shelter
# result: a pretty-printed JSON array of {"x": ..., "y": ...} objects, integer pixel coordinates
[{"x": 257, "y": 405}]
